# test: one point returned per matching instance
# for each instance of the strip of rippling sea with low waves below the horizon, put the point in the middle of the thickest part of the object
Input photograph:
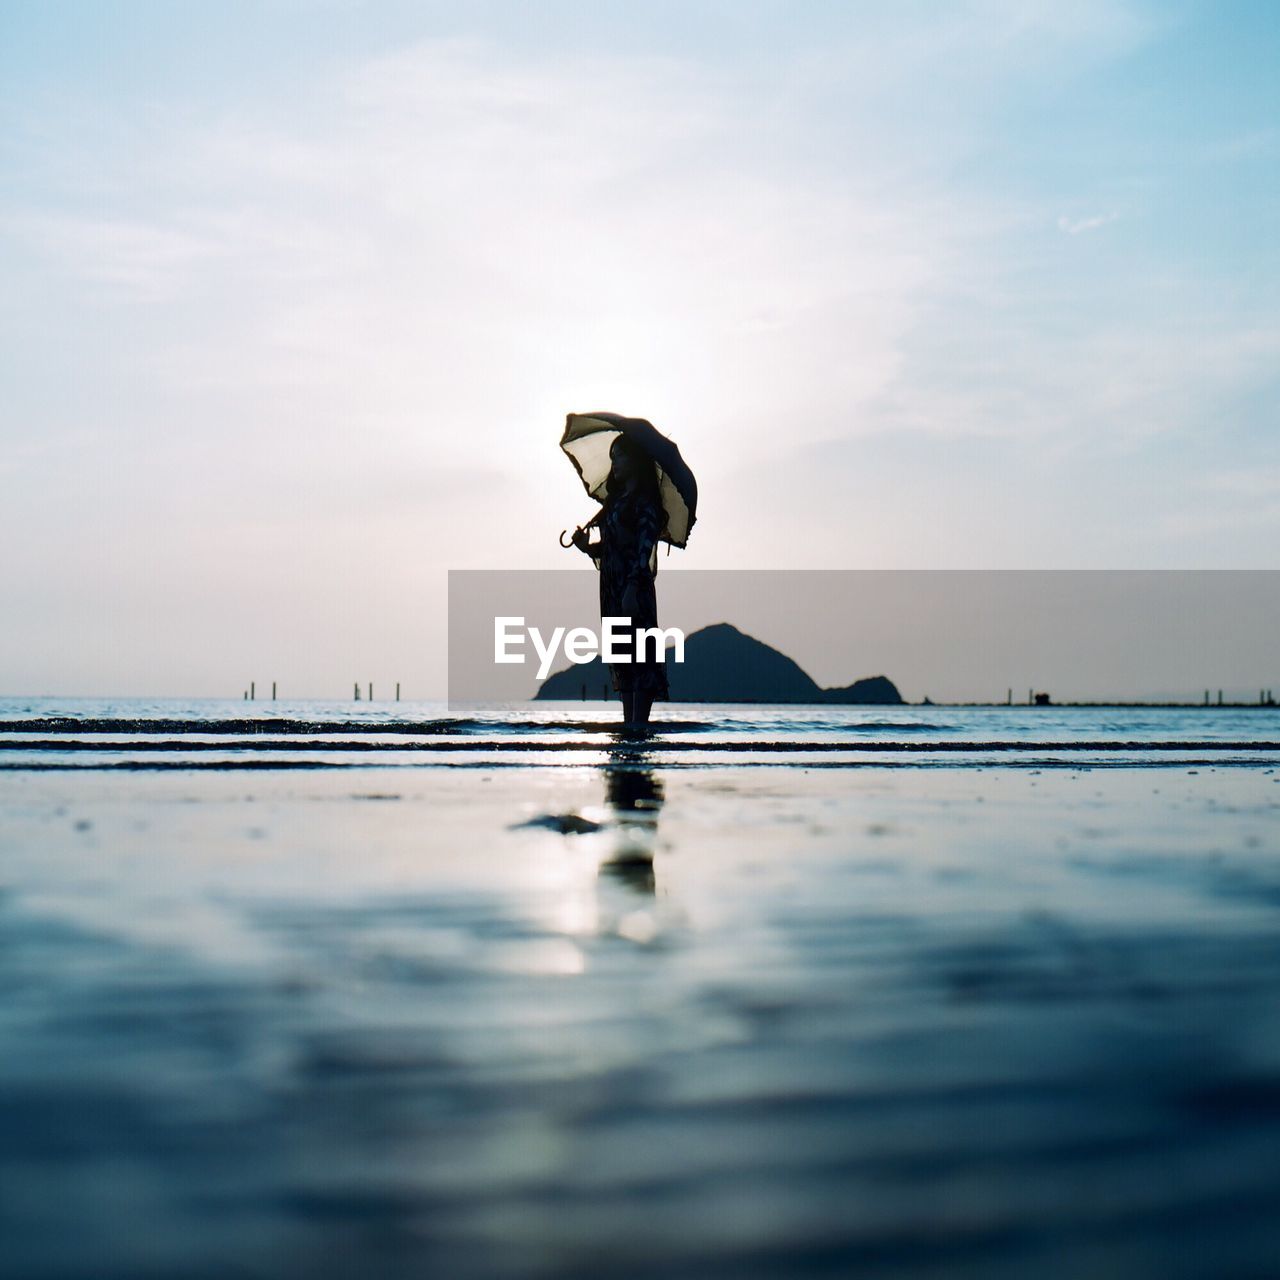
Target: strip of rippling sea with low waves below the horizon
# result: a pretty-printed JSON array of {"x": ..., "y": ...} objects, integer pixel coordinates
[{"x": 58, "y": 733}]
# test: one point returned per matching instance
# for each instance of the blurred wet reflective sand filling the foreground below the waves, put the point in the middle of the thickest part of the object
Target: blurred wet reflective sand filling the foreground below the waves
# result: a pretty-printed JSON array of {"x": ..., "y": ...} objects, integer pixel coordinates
[{"x": 596, "y": 1022}]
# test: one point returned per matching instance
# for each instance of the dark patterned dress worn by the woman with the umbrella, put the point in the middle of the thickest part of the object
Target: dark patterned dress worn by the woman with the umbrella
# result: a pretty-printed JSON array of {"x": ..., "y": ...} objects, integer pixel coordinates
[{"x": 628, "y": 552}]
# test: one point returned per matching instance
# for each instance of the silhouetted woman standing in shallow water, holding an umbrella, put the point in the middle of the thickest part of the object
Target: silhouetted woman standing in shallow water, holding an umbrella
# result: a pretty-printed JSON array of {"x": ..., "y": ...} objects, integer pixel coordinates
[{"x": 630, "y": 522}]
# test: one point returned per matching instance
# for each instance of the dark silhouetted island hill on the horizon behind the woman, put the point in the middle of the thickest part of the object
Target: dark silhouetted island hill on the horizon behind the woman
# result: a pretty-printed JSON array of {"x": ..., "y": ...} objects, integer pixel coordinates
[{"x": 723, "y": 665}]
